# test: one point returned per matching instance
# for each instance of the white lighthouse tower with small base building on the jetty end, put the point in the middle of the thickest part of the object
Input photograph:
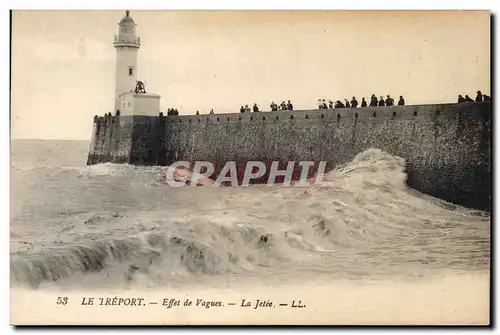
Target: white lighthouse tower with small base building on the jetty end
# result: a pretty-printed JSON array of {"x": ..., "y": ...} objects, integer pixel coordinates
[{"x": 131, "y": 97}]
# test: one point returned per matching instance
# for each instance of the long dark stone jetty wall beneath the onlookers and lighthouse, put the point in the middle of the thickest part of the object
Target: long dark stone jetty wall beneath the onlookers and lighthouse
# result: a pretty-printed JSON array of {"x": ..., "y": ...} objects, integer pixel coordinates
[{"x": 446, "y": 147}]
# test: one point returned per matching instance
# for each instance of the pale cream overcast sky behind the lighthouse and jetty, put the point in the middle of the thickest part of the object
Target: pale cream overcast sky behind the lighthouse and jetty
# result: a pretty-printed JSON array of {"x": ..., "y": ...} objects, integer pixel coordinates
[{"x": 63, "y": 62}]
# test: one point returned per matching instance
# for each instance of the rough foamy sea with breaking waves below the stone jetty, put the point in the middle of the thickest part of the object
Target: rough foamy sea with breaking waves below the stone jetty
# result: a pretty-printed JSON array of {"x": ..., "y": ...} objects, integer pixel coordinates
[{"x": 107, "y": 225}]
